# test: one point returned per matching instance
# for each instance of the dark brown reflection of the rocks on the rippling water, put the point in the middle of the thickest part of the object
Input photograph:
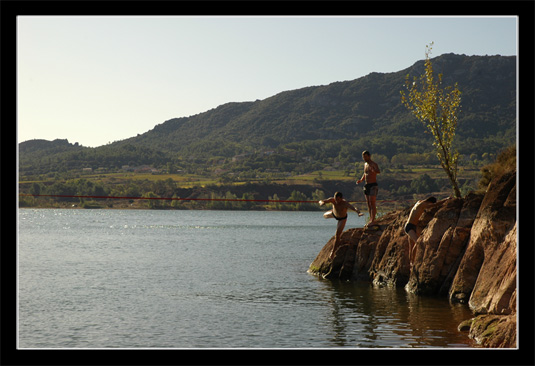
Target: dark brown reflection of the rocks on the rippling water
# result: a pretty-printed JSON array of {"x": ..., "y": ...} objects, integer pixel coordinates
[{"x": 369, "y": 317}]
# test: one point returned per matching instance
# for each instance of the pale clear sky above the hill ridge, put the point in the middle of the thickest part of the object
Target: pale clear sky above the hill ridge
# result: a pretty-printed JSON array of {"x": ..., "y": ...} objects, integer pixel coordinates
[{"x": 99, "y": 79}]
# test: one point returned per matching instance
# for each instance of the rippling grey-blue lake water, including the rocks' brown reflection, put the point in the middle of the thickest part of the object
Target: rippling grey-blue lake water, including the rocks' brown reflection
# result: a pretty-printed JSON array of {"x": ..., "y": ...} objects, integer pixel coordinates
[{"x": 205, "y": 279}]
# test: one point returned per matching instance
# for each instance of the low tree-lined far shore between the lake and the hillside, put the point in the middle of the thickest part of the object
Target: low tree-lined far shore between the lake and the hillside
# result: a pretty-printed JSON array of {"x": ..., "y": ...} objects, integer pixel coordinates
[{"x": 168, "y": 188}]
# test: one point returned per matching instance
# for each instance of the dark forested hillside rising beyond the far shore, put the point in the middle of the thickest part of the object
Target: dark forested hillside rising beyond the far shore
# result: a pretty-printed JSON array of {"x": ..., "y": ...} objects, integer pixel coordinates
[{"x": 316, "y": 124}]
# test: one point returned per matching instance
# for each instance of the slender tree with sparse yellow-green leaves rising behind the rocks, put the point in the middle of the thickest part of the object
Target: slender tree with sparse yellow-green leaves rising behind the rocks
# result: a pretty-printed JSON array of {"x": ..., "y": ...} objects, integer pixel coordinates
[{"x": 437, "y": 108}]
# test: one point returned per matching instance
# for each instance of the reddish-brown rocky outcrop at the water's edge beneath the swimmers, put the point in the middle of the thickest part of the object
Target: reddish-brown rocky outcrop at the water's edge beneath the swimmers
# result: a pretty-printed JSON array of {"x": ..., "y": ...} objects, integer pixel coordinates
[{"x": 466, "y": 253}]
